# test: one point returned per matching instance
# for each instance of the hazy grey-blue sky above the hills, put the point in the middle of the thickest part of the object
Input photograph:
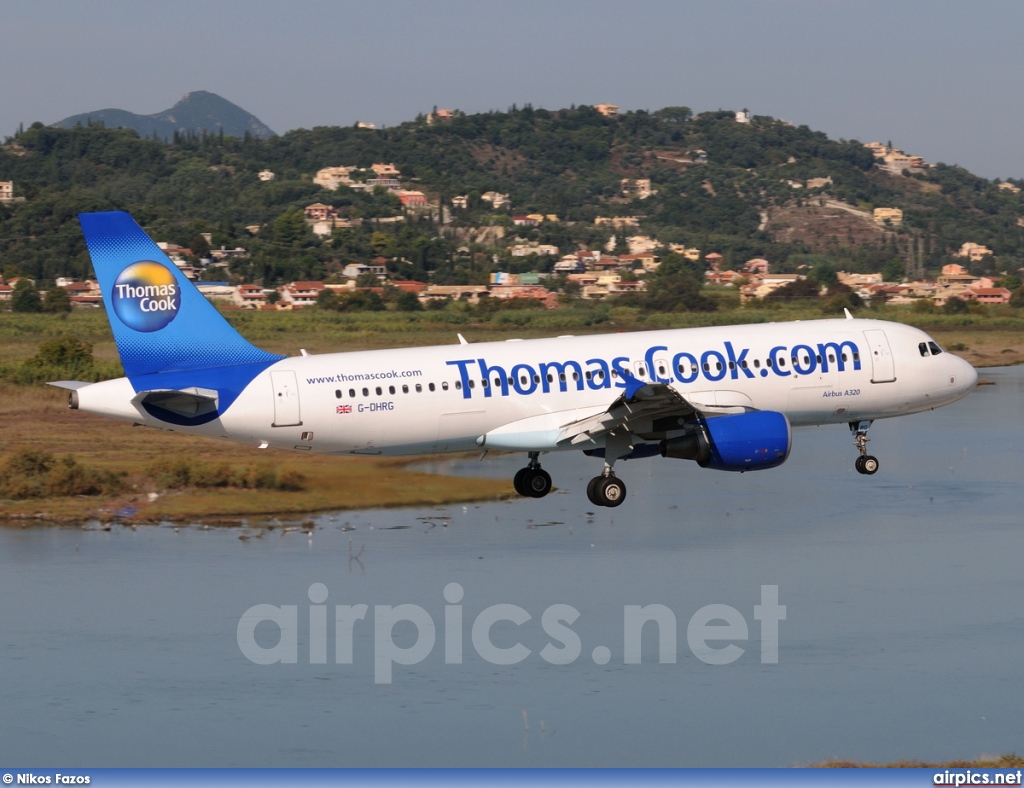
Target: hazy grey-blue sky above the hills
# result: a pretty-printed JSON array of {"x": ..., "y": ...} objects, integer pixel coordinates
[{"x": 941, "y": 79}]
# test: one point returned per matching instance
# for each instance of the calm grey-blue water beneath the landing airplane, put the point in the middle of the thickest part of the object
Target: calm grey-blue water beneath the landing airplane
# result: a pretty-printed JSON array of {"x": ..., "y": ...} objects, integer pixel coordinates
[{"x": 903, "y": 637}]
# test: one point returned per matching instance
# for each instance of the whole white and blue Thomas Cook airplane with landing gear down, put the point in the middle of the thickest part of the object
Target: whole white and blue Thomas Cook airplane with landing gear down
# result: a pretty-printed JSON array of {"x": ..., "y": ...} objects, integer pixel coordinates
[{"x": 727, "y": 398}]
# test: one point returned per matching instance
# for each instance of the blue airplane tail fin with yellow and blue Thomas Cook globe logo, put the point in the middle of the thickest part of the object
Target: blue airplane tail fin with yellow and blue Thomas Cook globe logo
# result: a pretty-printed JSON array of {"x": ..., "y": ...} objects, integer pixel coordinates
[{"x": 167, "y": 333}]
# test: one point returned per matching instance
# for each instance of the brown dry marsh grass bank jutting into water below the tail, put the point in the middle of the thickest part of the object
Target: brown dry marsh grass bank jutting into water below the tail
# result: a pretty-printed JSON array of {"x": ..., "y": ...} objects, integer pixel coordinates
[{"x": 196, "y": 478}]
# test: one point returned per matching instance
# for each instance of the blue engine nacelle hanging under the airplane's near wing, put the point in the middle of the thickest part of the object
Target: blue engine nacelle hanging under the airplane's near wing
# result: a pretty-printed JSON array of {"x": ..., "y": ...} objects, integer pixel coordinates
[{"x": 751, "y": 442}]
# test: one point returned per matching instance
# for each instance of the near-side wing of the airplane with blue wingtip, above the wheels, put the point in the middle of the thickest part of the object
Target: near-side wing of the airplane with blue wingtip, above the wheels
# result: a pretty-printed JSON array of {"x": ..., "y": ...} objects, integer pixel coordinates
[{"x": 636, "y": 410}]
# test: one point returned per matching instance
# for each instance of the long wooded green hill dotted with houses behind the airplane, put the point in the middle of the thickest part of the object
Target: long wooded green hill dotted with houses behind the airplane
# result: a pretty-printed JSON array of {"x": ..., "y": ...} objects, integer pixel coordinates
[{"x": 721, "y": 186}]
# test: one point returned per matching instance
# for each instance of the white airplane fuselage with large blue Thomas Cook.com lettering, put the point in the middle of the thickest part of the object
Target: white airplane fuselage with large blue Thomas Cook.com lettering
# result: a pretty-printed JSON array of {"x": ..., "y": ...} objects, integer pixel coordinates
[{"x": 446, "y": 399}]
